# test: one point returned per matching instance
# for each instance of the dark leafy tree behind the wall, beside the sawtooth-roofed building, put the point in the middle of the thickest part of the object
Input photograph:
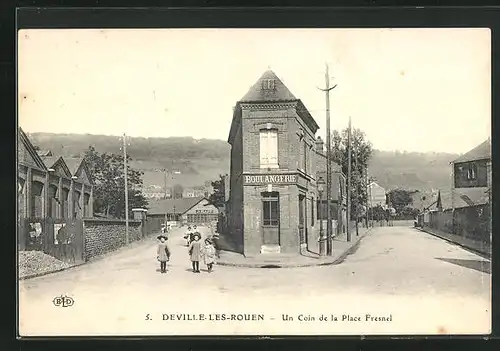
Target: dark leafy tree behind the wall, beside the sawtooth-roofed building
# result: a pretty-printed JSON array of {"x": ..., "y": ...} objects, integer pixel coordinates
[{"x": 108, "y": 173}]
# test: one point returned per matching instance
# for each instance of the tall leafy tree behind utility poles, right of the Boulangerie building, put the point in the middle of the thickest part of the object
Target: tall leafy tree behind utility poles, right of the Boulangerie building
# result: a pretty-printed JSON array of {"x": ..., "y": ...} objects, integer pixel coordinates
[{"x": 361, "y": 153}]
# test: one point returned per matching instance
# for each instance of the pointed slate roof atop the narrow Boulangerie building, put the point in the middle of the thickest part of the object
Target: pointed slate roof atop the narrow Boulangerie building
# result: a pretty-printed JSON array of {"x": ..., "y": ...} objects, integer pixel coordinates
[{"x": 276, "y": 91}]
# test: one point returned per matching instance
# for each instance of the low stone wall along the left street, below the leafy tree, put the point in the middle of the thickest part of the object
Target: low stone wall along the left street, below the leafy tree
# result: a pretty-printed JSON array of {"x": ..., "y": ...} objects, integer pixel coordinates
[{"x": 105, "y": 235}]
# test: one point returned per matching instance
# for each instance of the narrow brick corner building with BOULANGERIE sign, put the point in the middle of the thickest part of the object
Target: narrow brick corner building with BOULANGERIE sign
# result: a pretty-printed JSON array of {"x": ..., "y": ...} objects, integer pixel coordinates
[{"x": 272, "y": 206}]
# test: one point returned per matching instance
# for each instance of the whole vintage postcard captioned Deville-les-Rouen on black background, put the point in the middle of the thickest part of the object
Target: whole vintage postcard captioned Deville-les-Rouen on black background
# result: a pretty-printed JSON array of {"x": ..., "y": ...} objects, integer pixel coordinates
[{"x": 254, "y": 182}]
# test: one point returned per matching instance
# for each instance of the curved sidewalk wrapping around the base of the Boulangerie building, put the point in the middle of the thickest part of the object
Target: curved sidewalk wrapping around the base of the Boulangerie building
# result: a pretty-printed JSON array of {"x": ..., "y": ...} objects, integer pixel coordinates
[{"x": 341, "y": 249}]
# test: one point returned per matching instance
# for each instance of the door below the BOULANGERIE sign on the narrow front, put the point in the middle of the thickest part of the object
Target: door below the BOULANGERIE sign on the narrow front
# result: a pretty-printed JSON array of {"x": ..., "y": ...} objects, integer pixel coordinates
[{"x": 270, "y": 218}]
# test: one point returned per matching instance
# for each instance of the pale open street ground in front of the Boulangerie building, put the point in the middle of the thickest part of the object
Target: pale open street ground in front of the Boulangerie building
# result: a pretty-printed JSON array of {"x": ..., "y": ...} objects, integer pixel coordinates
[{"x": 428, "y": 286}]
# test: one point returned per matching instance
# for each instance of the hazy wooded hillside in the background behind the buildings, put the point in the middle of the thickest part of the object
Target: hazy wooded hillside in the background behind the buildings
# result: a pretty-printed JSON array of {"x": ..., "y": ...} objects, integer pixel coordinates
[{"x": 203, "y": 160}]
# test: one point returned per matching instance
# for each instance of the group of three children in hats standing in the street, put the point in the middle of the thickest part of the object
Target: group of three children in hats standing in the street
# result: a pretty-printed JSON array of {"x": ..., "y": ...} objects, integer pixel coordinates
[{"x": 196, "y": 251}]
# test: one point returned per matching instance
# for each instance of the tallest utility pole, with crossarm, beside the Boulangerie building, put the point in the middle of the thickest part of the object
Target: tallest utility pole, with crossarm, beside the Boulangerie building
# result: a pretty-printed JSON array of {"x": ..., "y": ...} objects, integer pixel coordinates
[{"x": 327, "y": 90}]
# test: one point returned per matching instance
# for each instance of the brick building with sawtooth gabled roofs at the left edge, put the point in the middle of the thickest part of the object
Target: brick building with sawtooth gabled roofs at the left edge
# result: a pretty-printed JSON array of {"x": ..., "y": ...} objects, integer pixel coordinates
[{"x": 49, "y": 187}]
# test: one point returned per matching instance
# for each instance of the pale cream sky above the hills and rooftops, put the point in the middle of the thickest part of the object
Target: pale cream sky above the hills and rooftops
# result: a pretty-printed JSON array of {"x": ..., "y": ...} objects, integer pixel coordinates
[{"x": 407, "y": 89}]
